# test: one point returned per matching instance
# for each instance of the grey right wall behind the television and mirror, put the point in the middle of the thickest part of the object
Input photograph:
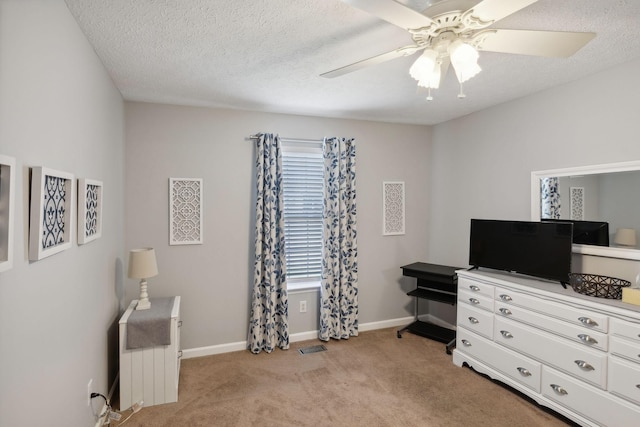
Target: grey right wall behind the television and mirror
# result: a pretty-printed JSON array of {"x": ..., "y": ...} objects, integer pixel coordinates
[{"x": 482, "y": 163}]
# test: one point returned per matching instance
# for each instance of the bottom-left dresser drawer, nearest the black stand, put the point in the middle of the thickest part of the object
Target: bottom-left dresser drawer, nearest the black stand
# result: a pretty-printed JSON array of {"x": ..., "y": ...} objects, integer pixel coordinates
[{"x": 514, "y": 365}]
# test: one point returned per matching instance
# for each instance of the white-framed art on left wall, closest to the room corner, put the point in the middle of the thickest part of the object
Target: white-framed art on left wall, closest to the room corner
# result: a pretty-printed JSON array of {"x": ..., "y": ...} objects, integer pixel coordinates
[{"x": 89, "y": 210}]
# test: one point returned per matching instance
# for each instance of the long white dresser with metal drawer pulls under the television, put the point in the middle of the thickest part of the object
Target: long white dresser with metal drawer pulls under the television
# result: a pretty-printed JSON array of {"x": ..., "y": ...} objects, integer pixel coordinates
[{"x": 575, "y": 354}]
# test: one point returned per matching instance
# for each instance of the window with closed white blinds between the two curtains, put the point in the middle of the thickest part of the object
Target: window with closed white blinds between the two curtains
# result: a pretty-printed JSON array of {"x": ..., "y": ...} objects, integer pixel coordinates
[{"x": 302, "y": 167}]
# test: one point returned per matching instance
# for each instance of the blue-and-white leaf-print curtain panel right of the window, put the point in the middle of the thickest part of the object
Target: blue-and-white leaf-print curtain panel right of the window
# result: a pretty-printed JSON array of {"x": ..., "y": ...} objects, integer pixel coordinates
[{"x": 339, "y": 288}]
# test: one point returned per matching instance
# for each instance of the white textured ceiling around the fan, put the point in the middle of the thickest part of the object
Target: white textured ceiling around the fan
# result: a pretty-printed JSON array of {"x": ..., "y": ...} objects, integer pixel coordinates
[{"x": 267, "y": 55}]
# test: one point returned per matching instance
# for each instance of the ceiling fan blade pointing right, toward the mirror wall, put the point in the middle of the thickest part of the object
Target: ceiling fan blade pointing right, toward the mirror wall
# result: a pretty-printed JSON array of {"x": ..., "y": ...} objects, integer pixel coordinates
[{"x": 538, "y": 43}]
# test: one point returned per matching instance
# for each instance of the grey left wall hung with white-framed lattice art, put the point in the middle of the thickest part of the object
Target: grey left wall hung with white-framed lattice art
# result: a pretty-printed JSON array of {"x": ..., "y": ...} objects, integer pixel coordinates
[{"x": 59, "y": 109}]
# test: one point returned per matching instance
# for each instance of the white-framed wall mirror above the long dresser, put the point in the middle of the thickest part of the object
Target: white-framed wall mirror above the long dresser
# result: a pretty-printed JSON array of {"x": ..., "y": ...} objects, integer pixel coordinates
[{"x": 600, "y": 193}]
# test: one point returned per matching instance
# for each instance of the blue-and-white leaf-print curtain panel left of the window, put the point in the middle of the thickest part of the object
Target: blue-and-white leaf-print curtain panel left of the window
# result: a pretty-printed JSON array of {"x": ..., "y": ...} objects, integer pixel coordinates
[{"x": 269, "y": 323}]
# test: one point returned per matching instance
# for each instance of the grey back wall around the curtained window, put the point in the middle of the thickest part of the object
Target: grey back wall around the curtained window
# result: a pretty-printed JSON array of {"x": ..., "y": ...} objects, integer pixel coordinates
[{"x": 214, "y": 279}]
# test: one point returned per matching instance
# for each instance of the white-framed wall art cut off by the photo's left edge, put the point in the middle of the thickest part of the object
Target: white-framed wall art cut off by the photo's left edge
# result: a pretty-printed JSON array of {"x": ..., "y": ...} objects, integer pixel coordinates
[{"x": 7, "y": 208}]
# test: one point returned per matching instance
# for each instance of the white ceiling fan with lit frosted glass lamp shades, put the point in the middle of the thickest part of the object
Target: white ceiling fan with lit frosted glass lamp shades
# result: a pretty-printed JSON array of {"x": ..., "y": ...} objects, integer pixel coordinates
[{"x": 453, "y": 31}]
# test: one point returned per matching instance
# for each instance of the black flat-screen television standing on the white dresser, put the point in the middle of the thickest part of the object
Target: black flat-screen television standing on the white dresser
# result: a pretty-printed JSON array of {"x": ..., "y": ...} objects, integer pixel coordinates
[{"x": 540, "y": 249}]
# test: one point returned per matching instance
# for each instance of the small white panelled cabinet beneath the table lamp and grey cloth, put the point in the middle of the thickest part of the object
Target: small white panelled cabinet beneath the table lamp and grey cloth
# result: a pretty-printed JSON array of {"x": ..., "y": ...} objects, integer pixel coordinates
[{"x": 150, "y": 374}]
